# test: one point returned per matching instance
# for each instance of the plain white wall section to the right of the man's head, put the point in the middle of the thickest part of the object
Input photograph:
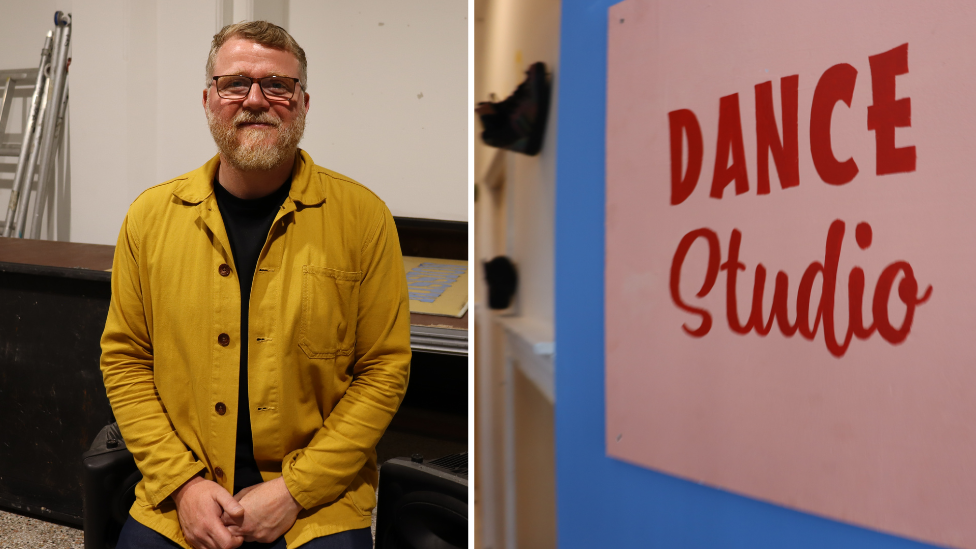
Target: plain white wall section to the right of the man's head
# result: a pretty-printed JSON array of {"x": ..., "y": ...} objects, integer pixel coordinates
[{"x": 389, "y": 101}]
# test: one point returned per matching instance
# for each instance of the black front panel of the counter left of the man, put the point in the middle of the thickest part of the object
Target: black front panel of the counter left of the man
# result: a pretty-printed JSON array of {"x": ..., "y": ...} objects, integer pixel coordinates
[{"x": 53, "y": 398}]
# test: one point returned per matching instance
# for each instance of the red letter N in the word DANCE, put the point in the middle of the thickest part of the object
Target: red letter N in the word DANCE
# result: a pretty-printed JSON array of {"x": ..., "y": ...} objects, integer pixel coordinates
[{"x": 786, "y": 152}]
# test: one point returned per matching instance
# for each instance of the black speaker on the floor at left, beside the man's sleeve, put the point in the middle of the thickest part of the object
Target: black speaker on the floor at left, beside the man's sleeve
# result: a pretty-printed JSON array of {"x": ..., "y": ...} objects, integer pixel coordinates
[{"x": 110, "y": 478}]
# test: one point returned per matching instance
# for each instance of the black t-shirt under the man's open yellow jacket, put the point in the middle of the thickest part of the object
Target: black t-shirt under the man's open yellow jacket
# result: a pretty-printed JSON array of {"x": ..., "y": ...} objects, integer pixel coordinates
[{"x": 247, "y": 223}]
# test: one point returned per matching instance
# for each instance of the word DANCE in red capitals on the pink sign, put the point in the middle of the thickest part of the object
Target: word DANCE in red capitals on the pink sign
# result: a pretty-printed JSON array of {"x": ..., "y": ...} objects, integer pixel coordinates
[{"x": 836, "y": 84}]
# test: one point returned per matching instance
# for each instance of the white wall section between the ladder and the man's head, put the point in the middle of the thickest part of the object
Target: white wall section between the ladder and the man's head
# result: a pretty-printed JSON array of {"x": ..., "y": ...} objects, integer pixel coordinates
[{"x": 136, "y": 120}]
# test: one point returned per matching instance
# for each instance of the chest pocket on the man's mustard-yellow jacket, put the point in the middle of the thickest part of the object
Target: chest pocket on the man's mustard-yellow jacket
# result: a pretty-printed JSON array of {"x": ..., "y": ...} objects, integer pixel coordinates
[{"x": 330, "y": 305}]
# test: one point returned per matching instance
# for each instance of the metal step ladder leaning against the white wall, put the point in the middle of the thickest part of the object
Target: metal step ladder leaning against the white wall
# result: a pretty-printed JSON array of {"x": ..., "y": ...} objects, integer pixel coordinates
[{"x": 39, "y": 143}]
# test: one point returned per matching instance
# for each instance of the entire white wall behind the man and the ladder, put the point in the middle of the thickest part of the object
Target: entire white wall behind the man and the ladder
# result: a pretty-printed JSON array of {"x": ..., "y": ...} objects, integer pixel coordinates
[{"x": 137, "y": 76}]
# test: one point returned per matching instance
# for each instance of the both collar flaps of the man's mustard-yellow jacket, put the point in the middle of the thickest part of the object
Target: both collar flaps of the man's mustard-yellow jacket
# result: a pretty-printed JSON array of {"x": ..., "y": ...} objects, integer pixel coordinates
[{"x": 306, "y": 187}]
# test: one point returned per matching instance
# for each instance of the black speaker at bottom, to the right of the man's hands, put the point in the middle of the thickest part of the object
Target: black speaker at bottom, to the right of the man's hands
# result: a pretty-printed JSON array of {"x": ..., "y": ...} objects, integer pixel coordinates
[{"x": 423, "y": 505}]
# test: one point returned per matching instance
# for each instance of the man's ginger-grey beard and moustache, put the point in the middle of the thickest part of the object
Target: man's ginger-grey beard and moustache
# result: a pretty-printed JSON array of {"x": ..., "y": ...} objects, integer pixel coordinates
[{"x": 246, "y": 150}]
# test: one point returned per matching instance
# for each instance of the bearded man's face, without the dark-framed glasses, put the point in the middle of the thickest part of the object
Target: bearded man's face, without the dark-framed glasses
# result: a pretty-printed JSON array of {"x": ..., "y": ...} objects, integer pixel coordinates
[{"x": 254, "y": 133}]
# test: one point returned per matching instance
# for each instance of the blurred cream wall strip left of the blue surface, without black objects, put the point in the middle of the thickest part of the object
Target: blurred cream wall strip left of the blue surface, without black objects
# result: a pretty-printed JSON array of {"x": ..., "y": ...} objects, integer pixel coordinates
[{"x": 514, "y": 360}]
